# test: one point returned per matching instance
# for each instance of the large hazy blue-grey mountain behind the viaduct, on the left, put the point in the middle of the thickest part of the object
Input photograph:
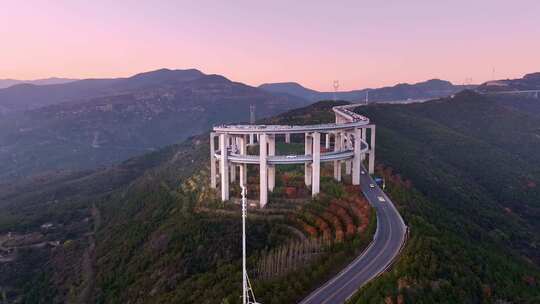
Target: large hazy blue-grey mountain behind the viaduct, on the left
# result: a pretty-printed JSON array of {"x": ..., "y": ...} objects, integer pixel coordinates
[{"x": 114, "y": 119}]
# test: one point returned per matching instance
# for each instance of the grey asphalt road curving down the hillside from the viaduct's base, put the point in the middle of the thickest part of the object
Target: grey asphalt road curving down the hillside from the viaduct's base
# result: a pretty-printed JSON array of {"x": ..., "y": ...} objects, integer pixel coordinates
[{"x": 389, "y": 237}]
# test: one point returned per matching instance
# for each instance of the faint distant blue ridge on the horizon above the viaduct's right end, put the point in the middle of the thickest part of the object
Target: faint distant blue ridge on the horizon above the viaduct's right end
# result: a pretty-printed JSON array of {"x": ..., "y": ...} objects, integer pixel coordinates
[{"x": 422, "y": 90}]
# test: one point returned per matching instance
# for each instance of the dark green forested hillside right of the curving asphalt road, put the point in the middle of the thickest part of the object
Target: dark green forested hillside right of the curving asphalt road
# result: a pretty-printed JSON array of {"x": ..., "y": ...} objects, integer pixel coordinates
[{"x": 465, "y": 174}]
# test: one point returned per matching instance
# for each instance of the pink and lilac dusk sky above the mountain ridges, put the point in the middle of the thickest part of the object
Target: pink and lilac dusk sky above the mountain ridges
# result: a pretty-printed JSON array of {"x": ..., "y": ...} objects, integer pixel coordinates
[{"x": 360, "y": 43}]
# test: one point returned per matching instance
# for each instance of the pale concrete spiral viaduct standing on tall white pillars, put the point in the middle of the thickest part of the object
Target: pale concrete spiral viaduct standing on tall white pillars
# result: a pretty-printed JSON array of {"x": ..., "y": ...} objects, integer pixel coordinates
[{"x": 349, "y": 133}]
